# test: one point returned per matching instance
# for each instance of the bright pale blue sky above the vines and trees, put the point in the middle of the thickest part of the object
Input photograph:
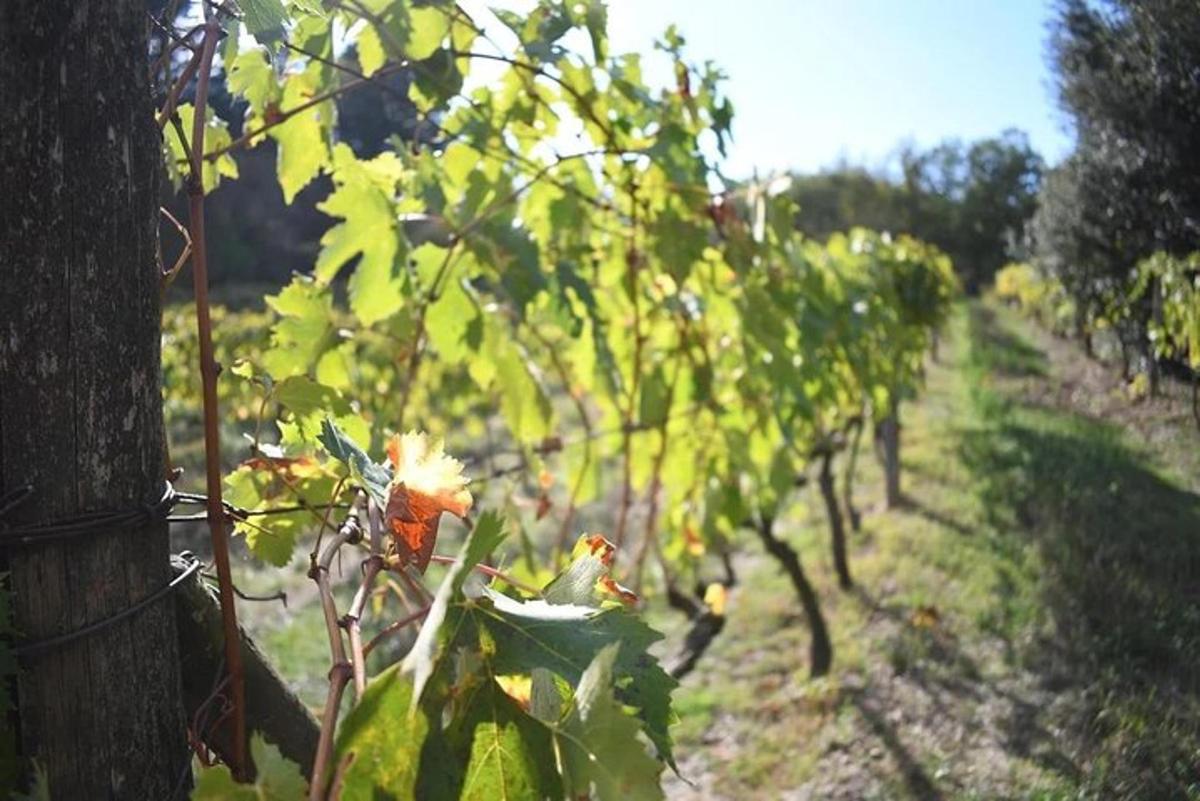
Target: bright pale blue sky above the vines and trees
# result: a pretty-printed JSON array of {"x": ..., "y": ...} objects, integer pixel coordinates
[{"x": 818, "y": 81}]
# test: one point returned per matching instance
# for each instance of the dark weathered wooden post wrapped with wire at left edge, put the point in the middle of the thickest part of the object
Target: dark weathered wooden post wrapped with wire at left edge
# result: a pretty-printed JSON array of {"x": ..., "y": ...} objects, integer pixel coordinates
[{"x": 81, "y": 408}]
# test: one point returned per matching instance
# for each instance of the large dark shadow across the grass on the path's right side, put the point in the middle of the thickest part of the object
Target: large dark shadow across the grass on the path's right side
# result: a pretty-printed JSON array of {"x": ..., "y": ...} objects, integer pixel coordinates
[{"x": 1119, "y": 550}]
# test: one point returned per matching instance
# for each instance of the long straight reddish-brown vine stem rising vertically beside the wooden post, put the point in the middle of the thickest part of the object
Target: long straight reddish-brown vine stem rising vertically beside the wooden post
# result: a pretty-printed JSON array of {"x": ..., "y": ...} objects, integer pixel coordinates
[{"x": 212, "y": 432}]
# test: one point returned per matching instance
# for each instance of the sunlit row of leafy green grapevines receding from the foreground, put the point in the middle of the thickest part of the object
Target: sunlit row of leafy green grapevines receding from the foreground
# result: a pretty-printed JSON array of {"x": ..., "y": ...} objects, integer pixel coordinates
[{"x": 635, "y": 365}]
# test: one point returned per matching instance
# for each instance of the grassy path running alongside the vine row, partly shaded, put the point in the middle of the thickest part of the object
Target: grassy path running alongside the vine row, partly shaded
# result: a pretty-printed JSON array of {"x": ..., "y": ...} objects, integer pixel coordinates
[{"x": 1028, "y": 628}]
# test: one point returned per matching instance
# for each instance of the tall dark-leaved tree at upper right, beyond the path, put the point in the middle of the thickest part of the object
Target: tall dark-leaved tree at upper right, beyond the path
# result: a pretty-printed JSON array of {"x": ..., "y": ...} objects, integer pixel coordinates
[{"x": 1119, "y": 220}]
